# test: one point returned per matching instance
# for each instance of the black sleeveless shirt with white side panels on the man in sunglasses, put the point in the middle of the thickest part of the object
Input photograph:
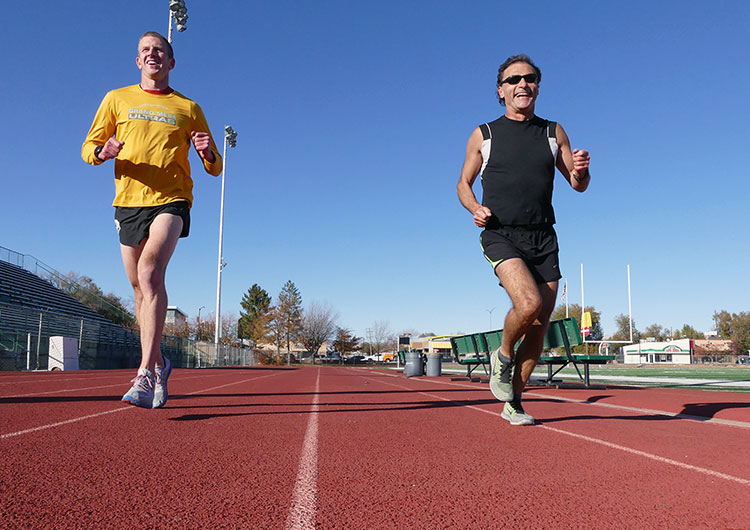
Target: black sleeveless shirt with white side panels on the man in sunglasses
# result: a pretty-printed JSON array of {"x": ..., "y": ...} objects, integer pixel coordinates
[{"x": 518, "y": 171}]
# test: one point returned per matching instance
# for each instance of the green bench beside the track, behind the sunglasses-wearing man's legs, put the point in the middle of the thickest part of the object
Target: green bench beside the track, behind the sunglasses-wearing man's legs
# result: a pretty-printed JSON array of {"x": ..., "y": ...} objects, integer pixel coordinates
[{"x": 473, "y": 351}]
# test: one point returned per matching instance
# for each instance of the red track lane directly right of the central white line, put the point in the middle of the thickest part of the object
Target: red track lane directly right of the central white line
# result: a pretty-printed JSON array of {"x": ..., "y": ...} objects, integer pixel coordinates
[{"x": 452, "y": 454}]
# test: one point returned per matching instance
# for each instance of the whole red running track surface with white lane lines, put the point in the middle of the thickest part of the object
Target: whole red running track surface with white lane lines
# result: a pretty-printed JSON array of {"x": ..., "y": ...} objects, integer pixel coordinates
[{"x": 339, "y": 447}]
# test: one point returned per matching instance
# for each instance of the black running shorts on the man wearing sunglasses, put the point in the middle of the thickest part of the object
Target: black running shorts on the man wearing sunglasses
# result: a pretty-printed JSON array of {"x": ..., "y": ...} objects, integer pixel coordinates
[{"x": 535, "y": 245}]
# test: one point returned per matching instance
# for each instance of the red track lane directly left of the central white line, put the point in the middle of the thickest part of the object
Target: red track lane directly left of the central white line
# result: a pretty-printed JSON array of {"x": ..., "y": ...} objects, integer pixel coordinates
[{"x": 219, "y": 455}]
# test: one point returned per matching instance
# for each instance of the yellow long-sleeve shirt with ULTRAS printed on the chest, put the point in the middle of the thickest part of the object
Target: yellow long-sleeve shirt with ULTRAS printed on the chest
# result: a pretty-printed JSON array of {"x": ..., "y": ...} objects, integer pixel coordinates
[{"x": 152, "y": 168}]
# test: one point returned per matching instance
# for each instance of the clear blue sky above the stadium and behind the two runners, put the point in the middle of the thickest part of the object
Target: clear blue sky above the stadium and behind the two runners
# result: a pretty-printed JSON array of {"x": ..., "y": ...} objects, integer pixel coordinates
[{"x": 353, "y": 120}]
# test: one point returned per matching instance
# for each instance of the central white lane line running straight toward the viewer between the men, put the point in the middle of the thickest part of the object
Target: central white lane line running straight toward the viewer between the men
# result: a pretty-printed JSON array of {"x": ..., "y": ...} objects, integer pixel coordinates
[{"x": 304, "y": 506}]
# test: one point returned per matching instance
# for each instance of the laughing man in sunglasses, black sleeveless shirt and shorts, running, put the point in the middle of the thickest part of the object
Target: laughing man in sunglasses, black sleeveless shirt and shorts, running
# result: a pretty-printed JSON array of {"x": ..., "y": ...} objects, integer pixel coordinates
[{"x": 517, "y": 155}]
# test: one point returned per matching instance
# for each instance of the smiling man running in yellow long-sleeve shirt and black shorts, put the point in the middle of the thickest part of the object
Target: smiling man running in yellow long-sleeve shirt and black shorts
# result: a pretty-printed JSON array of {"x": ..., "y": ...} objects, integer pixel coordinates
[{"x": 147, "y": 129}]
